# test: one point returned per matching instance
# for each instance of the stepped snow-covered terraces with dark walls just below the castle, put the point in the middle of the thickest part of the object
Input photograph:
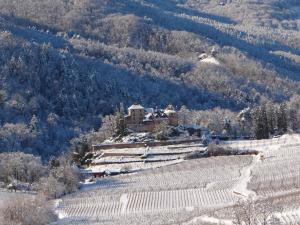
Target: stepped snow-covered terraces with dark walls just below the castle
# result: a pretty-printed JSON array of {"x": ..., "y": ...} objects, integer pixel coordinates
[{"x": 141, "y": 158}]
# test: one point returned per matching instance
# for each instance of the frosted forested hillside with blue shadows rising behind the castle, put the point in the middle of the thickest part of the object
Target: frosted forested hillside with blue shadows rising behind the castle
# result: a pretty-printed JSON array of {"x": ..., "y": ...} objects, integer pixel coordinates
[{"x": 63, "y": 64}]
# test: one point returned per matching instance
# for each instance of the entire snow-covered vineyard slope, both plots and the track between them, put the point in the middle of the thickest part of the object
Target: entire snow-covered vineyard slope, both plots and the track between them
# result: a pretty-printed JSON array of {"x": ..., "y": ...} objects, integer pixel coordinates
[{"x": 191, "y": 192}]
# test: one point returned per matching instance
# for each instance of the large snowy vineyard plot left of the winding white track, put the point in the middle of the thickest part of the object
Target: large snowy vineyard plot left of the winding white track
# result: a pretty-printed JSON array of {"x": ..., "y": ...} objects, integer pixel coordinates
[{"x": 188, "y": 186}]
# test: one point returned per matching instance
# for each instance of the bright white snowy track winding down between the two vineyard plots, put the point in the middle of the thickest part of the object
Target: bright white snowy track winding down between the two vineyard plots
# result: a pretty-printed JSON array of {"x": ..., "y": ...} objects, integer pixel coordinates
[{"x": 241, "y": 188}]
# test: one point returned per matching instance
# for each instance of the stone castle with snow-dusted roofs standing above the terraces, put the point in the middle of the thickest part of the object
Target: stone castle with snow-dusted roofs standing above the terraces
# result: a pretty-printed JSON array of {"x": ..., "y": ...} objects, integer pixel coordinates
[{"x": 140, "y": 119}]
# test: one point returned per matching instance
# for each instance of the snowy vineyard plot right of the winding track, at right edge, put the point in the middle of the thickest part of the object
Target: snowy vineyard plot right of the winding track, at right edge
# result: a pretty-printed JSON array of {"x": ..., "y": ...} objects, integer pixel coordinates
[{"x": 279, "y": 172}]
